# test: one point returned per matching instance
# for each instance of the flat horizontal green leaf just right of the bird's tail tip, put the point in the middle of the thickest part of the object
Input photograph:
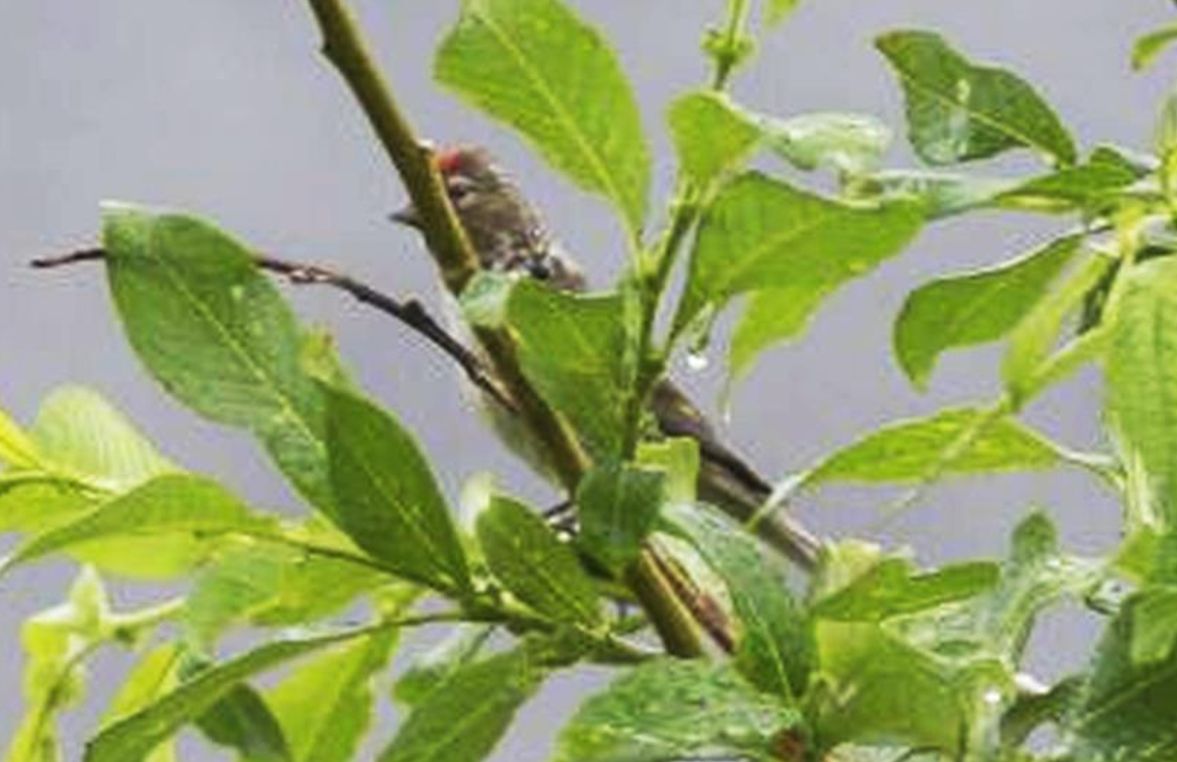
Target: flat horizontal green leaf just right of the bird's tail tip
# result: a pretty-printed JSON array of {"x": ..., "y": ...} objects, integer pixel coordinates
[{"x": 894, "y": 588}]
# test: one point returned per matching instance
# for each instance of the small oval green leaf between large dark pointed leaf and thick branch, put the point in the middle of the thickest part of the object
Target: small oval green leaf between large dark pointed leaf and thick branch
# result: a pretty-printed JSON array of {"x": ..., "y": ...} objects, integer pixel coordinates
[{"x": 535, "y": 566}]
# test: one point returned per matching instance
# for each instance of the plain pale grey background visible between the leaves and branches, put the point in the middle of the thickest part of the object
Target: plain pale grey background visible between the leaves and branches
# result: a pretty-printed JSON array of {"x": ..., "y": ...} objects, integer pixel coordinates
[{"x": 224, "y": 108}]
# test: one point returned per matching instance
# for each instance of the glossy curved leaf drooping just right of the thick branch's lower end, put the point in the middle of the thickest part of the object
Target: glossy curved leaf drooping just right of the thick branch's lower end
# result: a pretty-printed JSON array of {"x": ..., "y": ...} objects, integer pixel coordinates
[{"x": 775, "y": 648}]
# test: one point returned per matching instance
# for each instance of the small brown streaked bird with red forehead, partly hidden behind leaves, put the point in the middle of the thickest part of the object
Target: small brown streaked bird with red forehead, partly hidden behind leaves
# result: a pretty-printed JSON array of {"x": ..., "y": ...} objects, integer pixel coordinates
[{"x": 509, "y": 236}]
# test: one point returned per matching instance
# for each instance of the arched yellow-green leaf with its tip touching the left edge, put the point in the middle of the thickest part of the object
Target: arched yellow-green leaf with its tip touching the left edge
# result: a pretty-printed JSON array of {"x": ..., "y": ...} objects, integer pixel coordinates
[{"x": 168, "y": 514}]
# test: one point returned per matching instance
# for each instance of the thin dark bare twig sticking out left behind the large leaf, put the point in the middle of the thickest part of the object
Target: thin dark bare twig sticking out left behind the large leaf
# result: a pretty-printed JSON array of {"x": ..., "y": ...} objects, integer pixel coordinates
[{"x": 410, "y": 313}]
